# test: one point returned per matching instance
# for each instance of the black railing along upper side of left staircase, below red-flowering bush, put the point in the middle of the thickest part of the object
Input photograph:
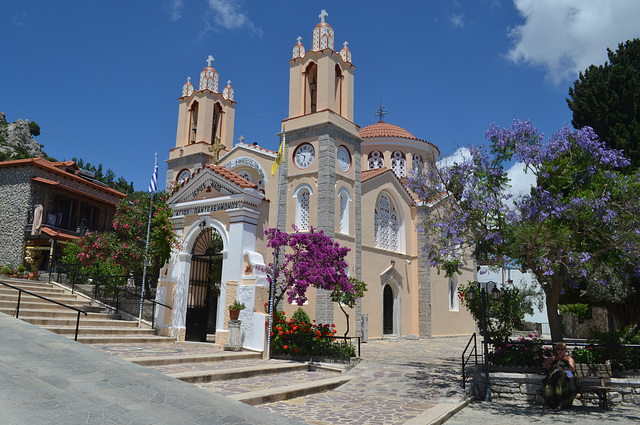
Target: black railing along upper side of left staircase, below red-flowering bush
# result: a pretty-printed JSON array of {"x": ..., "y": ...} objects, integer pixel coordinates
[{"x": 107, "y": 289}]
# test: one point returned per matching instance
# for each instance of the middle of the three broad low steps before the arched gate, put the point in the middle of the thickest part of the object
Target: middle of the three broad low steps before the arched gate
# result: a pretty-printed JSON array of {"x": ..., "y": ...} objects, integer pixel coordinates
[{"x": 237, "y": 373}]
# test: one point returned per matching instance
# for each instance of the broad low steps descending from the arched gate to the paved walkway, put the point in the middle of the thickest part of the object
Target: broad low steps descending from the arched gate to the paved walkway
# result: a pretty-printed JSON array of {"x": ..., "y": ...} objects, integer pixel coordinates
[{"x": 246, "y": 377}]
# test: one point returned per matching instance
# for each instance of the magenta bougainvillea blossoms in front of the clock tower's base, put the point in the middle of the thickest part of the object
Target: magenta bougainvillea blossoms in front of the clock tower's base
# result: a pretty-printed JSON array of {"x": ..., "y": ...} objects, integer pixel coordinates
[{"x": 310, "y": 259}]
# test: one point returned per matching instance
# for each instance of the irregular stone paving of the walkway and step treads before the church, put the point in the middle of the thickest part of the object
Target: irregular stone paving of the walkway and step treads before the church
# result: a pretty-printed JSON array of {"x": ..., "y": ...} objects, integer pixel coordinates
[{"x": 395, "y": 382}]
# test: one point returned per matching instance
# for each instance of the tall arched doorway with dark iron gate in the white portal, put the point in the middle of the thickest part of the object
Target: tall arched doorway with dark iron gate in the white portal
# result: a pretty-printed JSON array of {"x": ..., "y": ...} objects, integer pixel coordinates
[{"x": 204, "y": 285}]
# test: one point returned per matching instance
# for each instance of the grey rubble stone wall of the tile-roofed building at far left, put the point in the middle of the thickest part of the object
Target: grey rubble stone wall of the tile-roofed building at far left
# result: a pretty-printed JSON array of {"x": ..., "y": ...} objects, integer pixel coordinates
[{"x": 15, "y": 203}]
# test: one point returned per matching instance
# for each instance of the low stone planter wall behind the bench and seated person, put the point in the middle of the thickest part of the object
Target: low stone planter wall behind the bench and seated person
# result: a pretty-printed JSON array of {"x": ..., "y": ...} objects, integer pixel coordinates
[{"x": 521, "y": 387}]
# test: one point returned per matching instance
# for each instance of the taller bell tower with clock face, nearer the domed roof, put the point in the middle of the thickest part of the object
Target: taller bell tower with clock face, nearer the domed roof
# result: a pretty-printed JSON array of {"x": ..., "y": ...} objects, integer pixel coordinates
[{"x": 323, "y": 184}]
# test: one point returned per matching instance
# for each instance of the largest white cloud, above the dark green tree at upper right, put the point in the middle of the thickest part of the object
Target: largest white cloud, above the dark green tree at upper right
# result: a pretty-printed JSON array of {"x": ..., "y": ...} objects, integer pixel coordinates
[{"x": 566, "y": 36}]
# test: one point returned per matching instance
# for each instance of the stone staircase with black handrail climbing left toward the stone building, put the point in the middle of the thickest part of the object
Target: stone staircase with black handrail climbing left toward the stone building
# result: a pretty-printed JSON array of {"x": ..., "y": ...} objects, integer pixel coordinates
[{"x": 97, "y": 327}]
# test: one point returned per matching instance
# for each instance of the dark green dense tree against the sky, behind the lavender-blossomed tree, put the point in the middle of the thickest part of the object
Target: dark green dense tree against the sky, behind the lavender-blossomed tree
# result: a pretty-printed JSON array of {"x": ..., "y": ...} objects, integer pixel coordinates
[{"x": 607, "y": 98}]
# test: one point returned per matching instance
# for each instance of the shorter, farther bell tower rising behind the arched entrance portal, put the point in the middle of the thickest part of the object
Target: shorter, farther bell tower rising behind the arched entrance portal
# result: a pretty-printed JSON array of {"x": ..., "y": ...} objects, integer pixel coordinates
[{"x": 205, "y": 124}]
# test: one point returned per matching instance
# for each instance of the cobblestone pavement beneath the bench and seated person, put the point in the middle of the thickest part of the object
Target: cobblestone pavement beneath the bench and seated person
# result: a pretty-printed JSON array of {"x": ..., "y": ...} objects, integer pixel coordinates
[{"x": 517, "y": 414}]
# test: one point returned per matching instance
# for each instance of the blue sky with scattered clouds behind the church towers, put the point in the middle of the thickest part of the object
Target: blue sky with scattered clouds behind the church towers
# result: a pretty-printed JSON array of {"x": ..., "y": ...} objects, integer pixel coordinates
[{"x": 102, "y": 79}]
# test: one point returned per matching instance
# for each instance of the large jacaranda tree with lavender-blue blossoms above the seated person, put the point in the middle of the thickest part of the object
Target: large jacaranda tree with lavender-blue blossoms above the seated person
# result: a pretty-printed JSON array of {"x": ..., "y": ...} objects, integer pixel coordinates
[{"x": 580, "y": 212}]
